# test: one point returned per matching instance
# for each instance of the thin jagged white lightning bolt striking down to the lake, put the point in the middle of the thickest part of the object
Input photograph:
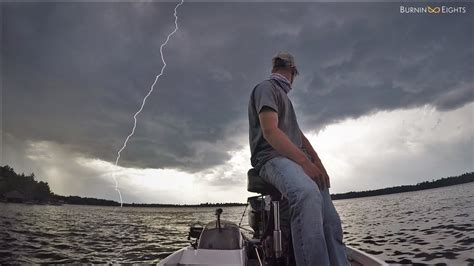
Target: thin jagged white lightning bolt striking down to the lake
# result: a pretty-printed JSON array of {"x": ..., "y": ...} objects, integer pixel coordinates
[{"x": 146, "y": 97}]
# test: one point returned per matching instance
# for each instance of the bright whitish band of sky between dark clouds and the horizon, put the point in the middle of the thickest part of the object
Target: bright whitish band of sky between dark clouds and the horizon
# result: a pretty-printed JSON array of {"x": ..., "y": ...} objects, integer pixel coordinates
[{"x": 374, "y": 151}]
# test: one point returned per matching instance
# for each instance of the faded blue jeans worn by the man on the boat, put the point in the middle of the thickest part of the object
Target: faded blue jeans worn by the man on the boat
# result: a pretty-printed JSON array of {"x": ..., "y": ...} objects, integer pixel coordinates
[{"x": 315, "y": 224}]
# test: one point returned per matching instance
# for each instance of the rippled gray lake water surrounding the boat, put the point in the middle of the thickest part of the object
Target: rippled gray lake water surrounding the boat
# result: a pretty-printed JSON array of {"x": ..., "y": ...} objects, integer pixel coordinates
[{"x": 428, "y": 227}]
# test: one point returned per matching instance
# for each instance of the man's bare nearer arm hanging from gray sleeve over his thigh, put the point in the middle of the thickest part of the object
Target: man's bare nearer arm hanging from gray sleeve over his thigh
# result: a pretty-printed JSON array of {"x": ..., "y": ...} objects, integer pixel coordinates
[{"x": 283, "y": 145}]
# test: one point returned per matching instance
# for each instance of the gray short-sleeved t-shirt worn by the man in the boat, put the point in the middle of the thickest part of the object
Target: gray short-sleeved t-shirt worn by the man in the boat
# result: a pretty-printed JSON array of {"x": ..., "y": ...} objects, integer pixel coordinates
[{"x": 271, "y": 93}]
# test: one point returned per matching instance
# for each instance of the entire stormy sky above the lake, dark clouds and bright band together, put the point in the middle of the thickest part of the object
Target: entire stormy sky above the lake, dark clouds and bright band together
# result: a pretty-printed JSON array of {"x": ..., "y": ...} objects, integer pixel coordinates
[{"x": 386, "y": 98}]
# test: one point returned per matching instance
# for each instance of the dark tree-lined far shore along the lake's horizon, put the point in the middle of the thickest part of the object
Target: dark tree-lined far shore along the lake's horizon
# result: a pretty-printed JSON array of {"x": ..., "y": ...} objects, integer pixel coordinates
[{"x": 21, "y": 188}]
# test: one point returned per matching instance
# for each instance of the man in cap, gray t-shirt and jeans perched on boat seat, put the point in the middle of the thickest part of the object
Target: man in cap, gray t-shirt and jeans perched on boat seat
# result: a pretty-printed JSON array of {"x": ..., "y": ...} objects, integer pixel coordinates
[{"x": 284, "y": 157}]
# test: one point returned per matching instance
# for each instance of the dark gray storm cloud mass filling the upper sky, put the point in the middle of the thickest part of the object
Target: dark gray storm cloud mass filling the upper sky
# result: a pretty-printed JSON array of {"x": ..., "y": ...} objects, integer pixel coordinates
[{"x": 75, "y": 73}]
